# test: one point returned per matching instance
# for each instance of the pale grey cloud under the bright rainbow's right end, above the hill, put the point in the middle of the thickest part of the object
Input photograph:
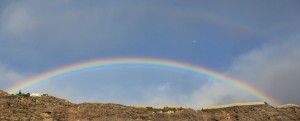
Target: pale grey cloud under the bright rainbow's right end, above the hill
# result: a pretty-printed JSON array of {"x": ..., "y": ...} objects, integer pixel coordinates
[{"x": 218, "y": 93}]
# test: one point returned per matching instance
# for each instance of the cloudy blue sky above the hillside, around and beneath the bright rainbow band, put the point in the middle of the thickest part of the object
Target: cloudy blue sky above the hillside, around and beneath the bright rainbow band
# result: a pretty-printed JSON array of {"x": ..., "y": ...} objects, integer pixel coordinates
[{"x": 254, "y": 41}]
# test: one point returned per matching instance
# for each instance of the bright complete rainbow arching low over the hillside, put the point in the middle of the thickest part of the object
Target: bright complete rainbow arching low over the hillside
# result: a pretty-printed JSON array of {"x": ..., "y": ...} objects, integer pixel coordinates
[{"x": 117, "y": 62}]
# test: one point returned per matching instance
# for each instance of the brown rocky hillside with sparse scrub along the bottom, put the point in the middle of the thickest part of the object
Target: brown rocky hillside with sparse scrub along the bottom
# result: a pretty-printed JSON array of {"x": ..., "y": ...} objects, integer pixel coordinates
[{"x": 49, "y": 108}]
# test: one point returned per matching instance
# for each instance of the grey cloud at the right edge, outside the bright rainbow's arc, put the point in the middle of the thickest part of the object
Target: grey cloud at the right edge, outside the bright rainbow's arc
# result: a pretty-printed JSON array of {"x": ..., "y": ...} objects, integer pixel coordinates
[{"x": 274, "y": 69}]
